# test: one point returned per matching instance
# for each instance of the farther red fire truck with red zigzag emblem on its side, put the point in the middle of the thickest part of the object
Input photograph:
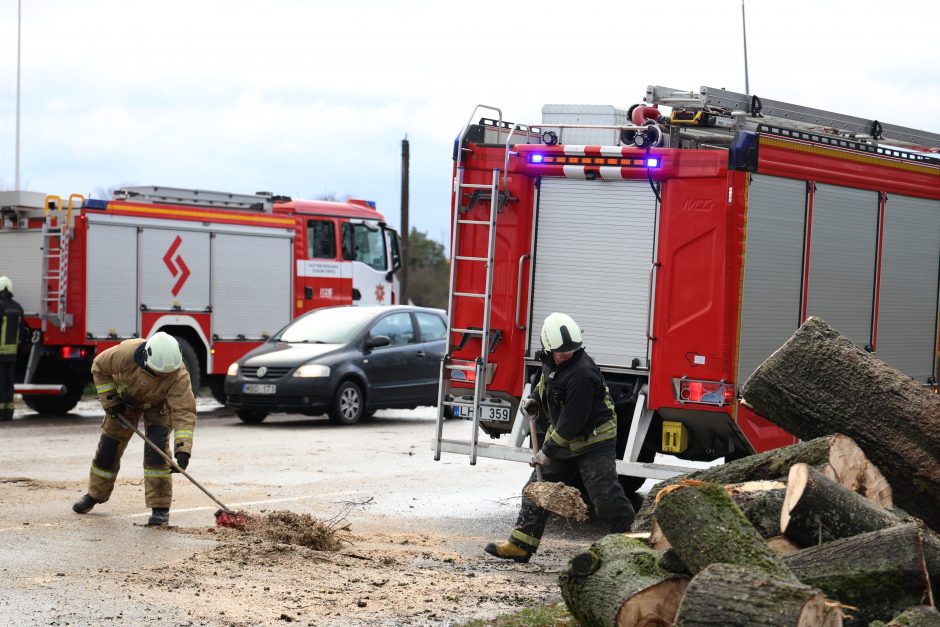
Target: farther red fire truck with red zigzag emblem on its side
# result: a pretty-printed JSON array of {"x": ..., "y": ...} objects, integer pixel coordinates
[{"x": 219, "y": 271}]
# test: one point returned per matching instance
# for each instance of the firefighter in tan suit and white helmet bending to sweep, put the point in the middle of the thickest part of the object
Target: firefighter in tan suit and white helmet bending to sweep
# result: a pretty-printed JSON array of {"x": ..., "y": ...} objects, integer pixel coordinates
[{"x": 133, "y": 379}]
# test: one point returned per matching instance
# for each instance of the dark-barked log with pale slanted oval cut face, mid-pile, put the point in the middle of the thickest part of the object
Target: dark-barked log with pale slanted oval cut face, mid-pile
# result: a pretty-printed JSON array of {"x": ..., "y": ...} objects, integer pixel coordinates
[{"x": 817, "y": 509}]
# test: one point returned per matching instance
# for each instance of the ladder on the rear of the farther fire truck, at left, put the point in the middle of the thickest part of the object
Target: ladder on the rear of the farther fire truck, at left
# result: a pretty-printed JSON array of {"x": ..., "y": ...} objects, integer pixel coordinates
[{"x": 56, "y": 234}]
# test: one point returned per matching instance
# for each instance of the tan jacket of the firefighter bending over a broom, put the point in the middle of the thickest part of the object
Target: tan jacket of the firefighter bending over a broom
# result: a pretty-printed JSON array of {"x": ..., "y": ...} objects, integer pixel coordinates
[{"x": 120, "y": 378}]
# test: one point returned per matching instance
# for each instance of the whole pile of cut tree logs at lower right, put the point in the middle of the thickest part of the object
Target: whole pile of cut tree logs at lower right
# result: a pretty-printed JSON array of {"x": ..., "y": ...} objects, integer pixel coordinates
[{"x": 838, "y": 529}]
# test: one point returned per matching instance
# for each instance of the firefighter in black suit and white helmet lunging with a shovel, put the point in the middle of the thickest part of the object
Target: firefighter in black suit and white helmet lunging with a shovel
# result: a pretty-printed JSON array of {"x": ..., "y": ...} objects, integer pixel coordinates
[{"x": 581, "y": 438}]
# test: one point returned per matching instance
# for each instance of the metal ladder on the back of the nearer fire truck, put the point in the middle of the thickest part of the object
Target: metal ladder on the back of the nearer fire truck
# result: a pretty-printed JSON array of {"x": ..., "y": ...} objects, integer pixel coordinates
[{"x": 488, "y": 338}]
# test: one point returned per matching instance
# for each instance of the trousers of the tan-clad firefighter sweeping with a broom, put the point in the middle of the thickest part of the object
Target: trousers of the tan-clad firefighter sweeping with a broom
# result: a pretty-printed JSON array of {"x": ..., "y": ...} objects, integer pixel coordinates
[{"x": 158, "y": 483}]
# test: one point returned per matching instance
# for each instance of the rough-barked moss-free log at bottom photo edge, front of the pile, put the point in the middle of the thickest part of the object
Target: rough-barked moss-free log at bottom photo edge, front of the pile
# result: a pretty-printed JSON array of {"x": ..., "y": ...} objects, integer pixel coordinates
[{"x": 725, "y": 594}]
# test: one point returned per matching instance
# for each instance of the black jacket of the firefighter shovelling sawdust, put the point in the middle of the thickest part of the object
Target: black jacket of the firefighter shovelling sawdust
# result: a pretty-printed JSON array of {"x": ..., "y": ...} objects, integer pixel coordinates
[{"x": 580, "y": 411}]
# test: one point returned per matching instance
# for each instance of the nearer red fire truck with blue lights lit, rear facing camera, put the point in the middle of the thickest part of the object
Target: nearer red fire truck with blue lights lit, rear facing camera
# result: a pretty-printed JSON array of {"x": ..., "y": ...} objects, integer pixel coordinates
[{"x": 689, "y": 245}]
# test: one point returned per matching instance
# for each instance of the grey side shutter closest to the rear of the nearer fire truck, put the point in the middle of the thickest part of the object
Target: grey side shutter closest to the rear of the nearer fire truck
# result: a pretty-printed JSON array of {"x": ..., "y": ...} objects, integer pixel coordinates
[{"x": 773, "y": 268}]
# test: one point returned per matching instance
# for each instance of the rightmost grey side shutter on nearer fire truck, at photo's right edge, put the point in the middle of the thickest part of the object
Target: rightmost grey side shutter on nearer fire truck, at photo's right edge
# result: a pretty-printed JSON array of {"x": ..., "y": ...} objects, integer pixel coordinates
[{"x": 907, "y": 310}]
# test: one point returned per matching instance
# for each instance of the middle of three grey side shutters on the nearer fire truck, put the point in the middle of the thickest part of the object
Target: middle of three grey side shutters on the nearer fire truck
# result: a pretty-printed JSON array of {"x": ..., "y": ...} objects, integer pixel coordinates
[{"x": 842, "y": 260}]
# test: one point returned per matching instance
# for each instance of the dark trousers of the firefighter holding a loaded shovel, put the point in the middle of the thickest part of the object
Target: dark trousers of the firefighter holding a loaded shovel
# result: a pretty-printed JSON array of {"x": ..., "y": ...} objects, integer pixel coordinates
[{"x": 598, "y": 471}]
